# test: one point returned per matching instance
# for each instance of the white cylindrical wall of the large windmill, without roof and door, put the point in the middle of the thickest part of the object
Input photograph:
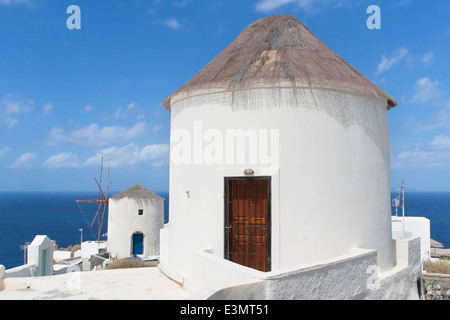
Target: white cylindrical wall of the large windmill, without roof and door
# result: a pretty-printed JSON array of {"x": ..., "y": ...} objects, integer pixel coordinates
[{"x": 330, "y": 173}]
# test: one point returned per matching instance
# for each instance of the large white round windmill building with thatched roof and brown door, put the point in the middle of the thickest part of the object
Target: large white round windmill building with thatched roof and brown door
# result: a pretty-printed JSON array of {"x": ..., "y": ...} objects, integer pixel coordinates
[{"x": 279, "y": 158}]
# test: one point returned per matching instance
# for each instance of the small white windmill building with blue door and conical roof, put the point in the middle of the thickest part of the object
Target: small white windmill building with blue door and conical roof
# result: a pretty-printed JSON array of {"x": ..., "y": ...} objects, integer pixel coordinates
[{"x": 135, "y": 217}]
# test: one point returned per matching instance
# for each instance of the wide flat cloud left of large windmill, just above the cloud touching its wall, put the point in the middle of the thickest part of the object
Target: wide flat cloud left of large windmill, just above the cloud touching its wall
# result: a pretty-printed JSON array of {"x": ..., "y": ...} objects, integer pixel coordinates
[{"x": 94, "y": 135}]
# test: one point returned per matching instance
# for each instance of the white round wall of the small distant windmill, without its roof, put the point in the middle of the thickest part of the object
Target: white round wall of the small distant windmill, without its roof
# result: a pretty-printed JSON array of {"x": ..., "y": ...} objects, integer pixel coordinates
[{"x": 124, "y": 220}]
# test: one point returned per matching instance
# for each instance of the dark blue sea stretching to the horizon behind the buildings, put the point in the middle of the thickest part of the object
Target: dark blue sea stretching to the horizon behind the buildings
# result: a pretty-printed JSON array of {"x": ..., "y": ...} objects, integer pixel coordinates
[{"x": 23, "y": 215}]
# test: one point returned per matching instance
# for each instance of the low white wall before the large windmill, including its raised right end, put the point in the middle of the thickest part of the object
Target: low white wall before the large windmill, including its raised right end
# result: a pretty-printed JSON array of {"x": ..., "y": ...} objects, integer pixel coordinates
[{"x": 352, "y": 276}]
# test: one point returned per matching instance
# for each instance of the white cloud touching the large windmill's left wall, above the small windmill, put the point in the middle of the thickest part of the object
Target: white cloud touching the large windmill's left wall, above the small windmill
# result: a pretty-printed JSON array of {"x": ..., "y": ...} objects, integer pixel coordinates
[{"x": 130, "y": 155}]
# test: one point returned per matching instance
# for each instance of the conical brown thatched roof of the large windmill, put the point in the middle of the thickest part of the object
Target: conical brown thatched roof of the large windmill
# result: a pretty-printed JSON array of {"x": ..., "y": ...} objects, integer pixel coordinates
[{"x": 274, "y": 51}]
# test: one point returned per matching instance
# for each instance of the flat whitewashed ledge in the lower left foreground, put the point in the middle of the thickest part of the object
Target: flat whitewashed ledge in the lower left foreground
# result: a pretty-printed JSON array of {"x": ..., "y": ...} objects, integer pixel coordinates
[{"x": 118, "y": 284}]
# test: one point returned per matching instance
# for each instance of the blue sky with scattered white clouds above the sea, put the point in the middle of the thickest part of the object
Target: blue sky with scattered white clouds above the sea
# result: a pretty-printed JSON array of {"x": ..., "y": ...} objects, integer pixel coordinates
[{"x": 67, "y": 97}]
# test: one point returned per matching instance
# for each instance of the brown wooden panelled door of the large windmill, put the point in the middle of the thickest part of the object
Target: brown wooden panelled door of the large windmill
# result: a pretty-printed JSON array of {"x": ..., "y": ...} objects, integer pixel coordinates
[{"x": 247, "y": 222}]
